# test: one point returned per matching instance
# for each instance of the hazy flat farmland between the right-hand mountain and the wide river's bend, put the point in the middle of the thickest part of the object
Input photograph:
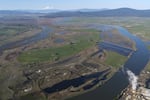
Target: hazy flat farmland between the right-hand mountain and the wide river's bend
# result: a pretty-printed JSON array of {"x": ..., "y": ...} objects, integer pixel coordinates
[{"x": 136, "y": 25}]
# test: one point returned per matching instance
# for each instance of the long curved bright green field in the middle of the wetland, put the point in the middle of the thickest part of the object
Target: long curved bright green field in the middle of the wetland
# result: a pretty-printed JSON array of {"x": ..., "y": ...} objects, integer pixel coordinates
[{"x": 82, "y": 42}]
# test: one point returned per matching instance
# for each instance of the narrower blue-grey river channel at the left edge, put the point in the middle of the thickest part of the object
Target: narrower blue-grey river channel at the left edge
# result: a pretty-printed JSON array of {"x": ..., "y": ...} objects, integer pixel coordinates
[{"x": 40, "y": 36}]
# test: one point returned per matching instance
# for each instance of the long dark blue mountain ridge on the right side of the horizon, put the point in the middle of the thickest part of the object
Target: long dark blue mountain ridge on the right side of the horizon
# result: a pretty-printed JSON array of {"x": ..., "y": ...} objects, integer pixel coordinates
[{"x": 121, "y": 12}]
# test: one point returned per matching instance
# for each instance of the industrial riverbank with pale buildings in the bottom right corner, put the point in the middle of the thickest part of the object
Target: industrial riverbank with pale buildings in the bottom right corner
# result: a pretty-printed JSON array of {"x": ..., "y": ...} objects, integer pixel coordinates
[{"x": 142, "y": 90}]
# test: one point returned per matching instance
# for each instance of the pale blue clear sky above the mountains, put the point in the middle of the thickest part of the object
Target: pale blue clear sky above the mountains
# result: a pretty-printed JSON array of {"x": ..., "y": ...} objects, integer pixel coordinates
[{"x": 72, "y": 4}]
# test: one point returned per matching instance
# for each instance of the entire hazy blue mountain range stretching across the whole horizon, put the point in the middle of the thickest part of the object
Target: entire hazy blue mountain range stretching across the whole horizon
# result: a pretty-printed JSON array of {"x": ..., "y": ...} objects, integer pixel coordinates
[{"x": 120, "y": 12}]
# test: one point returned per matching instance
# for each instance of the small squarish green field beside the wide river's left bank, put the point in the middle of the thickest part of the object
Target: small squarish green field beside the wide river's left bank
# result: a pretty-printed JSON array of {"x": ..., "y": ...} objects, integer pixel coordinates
[{"x": 114, "y": 59}]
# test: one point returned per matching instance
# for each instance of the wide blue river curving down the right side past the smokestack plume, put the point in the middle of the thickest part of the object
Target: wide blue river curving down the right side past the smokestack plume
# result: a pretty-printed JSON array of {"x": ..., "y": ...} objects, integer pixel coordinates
[{"x": 119, "y": 80}]
